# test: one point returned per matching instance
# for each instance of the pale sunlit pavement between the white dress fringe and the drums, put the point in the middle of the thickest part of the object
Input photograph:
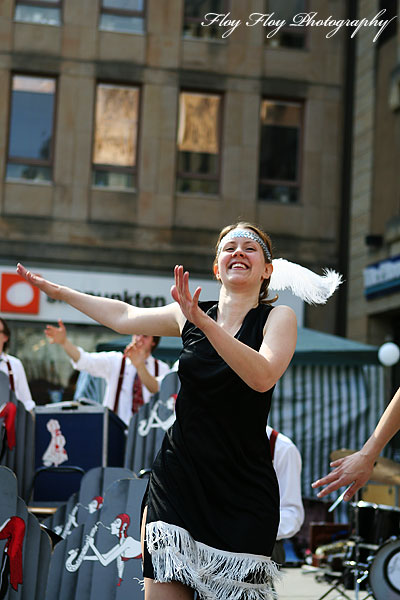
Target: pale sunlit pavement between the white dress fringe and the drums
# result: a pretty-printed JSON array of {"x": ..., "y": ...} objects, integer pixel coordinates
[{"x": 298, "y": 584}]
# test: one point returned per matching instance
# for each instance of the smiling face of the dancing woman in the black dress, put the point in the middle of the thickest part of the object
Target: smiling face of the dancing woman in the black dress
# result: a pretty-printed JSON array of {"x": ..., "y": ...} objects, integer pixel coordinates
[{"x": 242, "y": 261}]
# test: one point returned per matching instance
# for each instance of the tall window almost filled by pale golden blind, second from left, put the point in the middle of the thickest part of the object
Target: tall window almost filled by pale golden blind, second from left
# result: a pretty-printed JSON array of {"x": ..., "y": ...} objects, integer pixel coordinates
[{"x": 114, "y": 149}]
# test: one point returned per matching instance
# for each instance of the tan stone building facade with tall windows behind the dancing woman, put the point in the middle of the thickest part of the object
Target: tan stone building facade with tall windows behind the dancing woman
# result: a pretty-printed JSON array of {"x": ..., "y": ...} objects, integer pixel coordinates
[{"x": 69, "y": 221}]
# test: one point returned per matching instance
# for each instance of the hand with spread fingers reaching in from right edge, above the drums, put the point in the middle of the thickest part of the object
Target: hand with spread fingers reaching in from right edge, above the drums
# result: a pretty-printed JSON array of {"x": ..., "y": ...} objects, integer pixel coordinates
[{"x": 355, "y": 469}]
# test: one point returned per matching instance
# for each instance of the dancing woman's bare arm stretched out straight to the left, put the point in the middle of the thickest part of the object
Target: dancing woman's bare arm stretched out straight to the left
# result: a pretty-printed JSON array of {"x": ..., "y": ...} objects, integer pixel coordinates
[{"x": 117, "y": 315}]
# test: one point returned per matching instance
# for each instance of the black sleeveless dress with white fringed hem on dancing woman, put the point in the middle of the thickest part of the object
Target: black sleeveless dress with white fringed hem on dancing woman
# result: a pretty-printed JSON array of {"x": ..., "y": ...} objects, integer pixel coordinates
[{"x": 213, "y": 496}]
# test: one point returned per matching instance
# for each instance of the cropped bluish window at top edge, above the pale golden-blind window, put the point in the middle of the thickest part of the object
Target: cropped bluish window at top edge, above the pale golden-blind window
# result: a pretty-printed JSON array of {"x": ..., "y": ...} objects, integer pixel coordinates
[{"x": 125, "y": 16}]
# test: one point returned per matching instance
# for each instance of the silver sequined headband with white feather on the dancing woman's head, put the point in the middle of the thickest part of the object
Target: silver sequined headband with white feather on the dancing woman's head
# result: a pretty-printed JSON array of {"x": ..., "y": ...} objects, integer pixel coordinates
[{"x": 307, "y": 285}]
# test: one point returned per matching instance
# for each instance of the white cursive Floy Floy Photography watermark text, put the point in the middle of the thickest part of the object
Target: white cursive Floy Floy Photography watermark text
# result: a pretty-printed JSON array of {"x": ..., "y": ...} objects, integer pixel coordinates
[{"x": 300, "y": 20}]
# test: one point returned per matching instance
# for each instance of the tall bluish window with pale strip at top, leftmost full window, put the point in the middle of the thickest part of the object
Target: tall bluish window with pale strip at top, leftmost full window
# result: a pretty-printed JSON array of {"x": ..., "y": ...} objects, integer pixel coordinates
[{"x": 30, "y": 146}]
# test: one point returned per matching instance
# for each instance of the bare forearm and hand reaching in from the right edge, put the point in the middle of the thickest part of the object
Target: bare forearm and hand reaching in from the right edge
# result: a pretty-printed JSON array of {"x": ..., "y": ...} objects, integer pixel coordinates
[{"x": 356, "y": 469}]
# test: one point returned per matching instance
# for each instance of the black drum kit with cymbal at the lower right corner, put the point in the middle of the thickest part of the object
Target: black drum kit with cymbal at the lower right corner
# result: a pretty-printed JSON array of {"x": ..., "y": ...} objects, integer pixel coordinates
[{"x": 371, "y": 555}]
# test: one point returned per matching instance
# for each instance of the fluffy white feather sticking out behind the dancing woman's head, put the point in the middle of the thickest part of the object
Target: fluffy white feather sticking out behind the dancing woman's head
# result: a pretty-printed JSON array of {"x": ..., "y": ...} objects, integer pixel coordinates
[{"x": 307, "y": 285}]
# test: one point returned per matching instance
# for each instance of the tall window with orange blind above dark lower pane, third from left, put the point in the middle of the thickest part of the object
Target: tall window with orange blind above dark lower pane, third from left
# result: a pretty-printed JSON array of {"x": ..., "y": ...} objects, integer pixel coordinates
[{"x": 198, "y": 143}]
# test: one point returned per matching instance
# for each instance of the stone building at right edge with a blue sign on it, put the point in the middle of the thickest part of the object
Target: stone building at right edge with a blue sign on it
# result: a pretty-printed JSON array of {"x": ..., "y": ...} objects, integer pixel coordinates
[{"x": 374, "y": 300}]
